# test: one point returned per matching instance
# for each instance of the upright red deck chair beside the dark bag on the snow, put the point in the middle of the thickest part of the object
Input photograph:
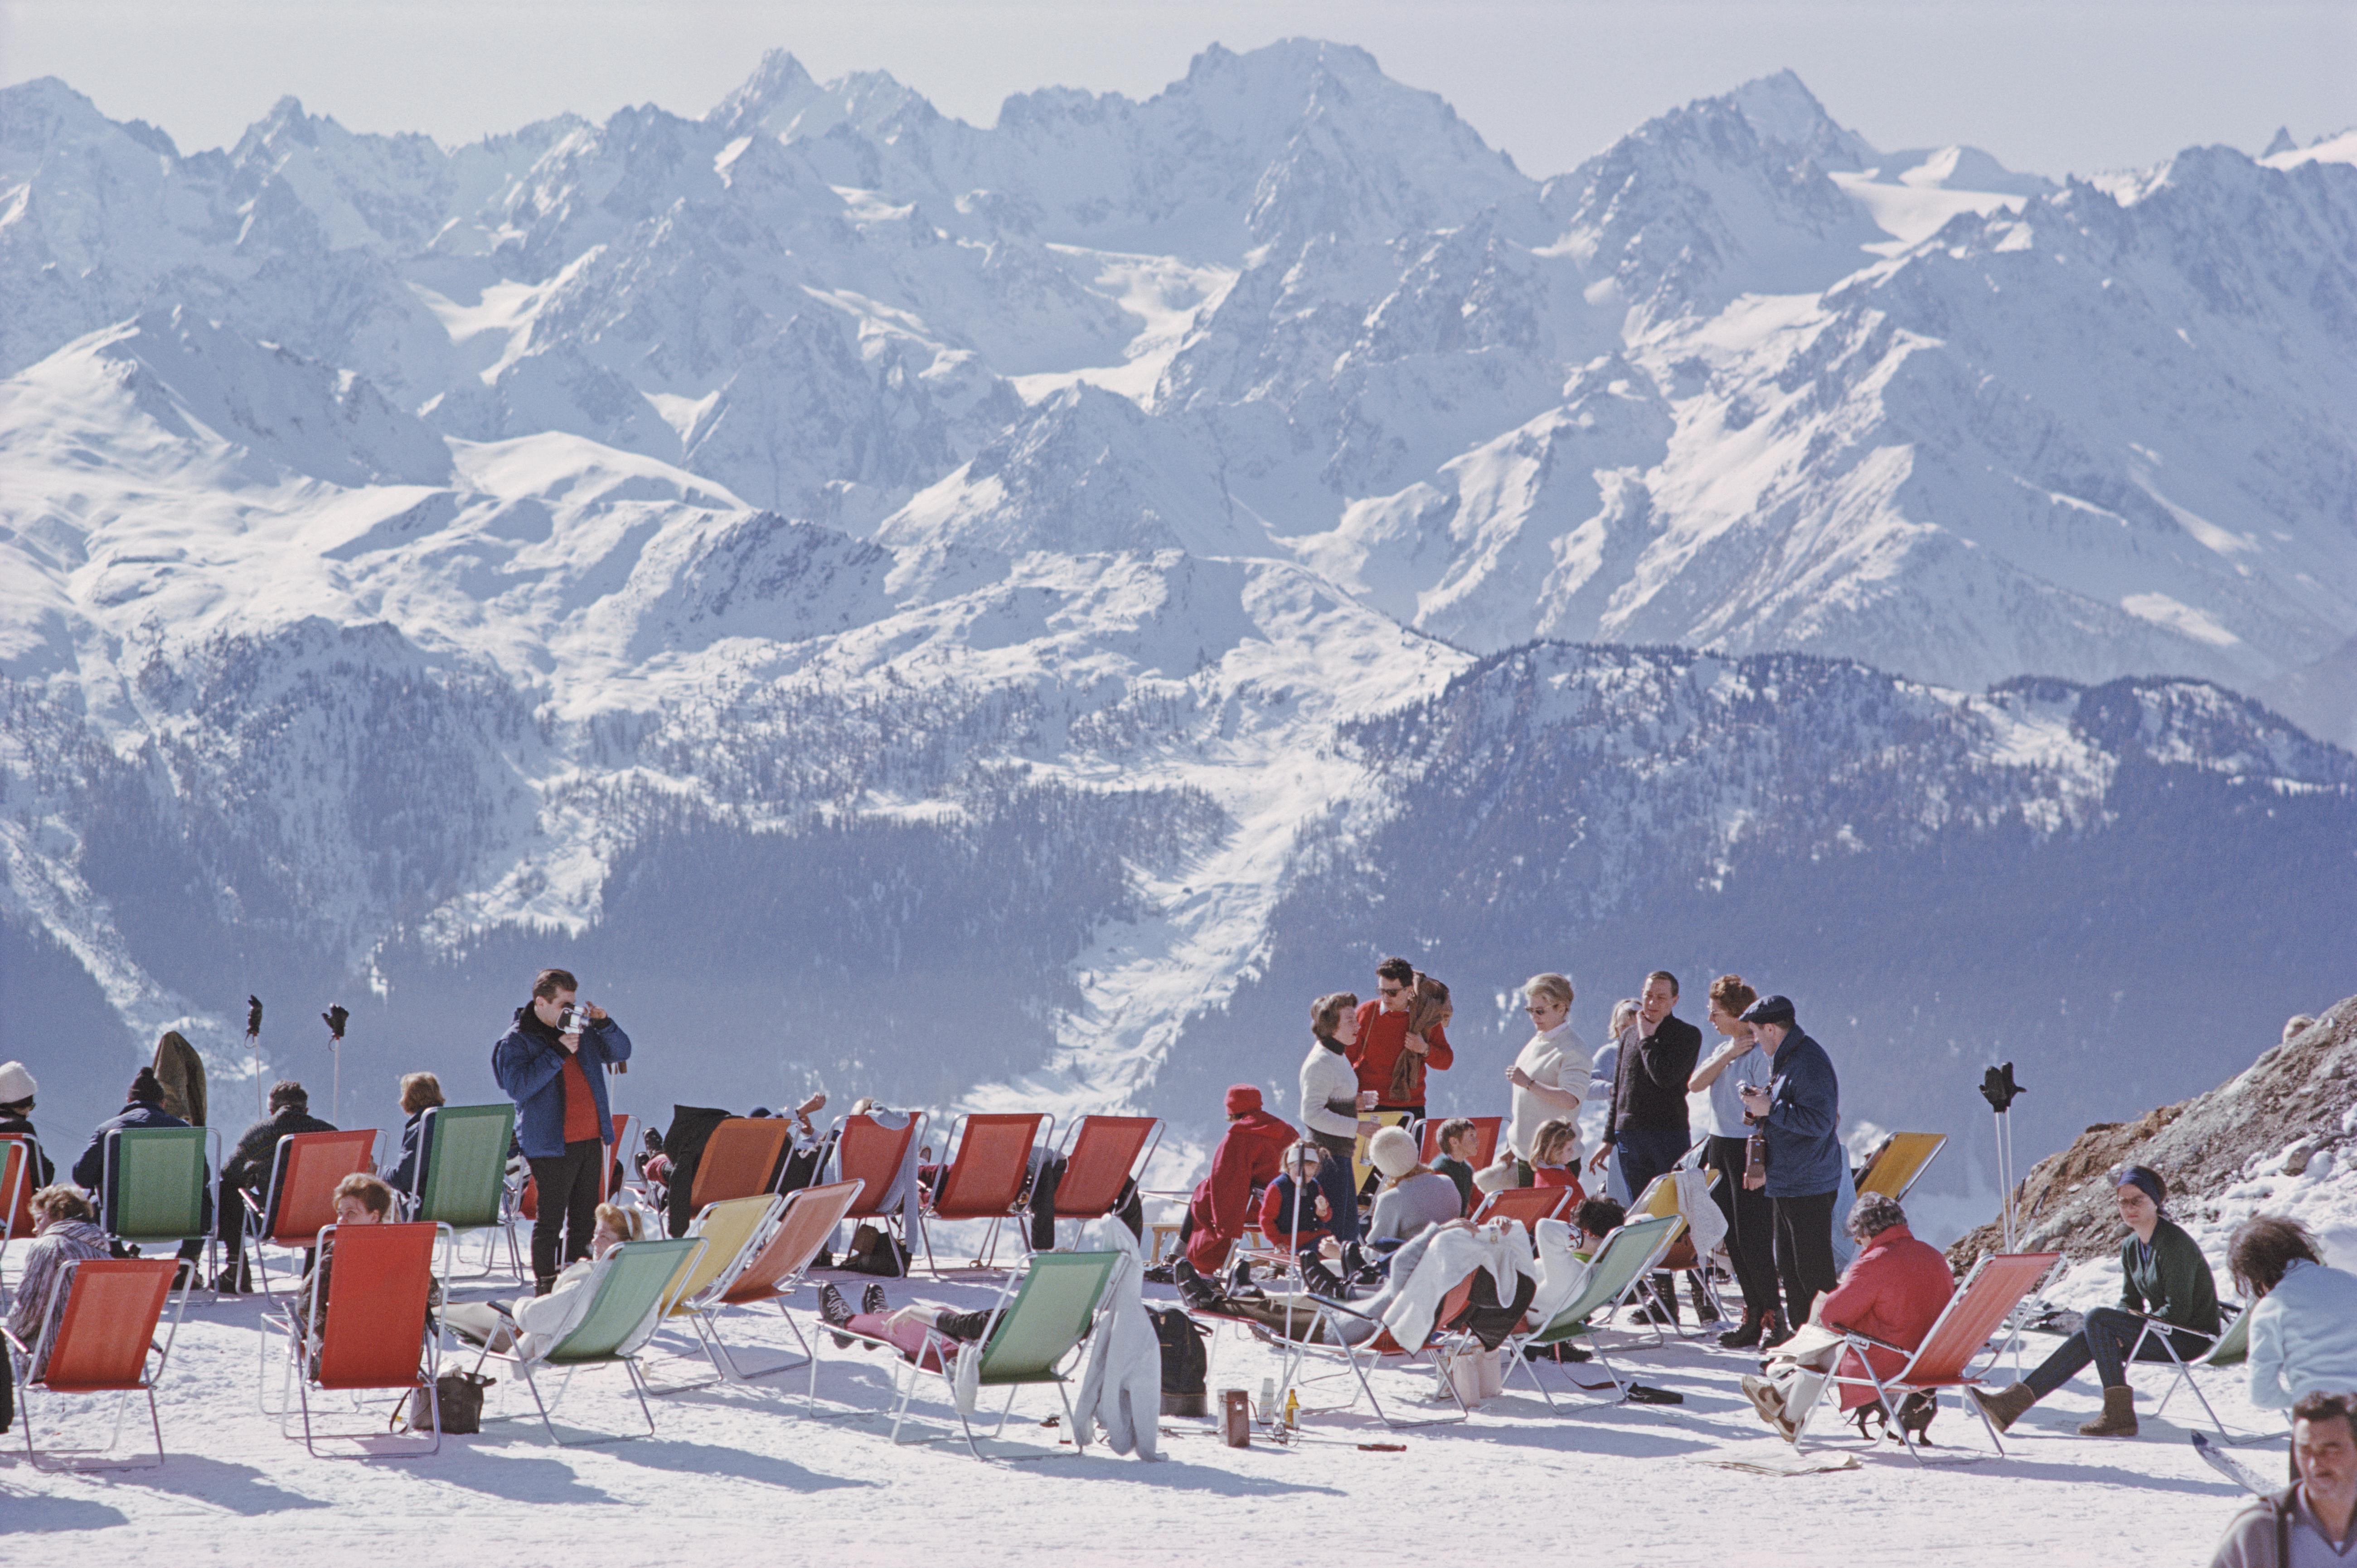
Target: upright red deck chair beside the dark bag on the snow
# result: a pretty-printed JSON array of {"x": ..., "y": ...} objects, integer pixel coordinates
[{"x": 376, "y": 1329}]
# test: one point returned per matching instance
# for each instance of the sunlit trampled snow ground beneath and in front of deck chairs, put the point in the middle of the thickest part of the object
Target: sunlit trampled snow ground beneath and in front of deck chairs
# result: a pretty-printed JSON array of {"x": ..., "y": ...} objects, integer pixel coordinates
[{"x": 734, "y": 1473}]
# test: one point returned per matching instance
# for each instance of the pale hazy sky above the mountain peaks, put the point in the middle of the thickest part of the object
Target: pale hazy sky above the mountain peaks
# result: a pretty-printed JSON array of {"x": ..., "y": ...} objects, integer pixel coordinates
[{"x": 2061, "y": 86}]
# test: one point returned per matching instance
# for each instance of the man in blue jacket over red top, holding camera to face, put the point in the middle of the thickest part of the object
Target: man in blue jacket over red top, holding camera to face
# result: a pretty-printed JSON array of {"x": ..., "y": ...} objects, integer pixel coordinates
[{"x": 553, "y": 1065}]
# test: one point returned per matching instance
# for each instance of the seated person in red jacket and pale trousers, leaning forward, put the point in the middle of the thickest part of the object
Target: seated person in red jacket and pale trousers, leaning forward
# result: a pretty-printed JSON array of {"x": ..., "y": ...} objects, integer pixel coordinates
[{"x": 1894, "y": 1291}]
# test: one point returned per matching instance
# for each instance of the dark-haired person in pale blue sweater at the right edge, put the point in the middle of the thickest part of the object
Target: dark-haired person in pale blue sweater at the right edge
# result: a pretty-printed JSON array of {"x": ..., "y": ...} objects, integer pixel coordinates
[{"x": 2304, "y": 1317}]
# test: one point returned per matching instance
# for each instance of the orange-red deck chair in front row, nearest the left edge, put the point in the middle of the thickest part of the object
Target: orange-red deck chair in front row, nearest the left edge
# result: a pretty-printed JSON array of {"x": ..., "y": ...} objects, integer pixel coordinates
[{"x": 98, "y": 1343}]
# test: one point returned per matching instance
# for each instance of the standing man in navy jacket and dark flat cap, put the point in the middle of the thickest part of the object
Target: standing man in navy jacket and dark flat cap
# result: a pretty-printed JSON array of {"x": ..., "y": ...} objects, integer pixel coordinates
[{"x": 1800, "y": 1112}]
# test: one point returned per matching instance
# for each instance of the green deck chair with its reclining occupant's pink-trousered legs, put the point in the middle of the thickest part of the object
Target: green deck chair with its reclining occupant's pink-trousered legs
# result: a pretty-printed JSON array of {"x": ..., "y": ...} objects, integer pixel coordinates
[{"x": 1043, "y": 1317}]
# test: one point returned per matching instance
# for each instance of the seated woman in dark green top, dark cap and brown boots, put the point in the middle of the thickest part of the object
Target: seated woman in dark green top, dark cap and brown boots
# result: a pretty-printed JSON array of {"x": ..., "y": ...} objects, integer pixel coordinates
[{"x": 2165, "y": 1279}]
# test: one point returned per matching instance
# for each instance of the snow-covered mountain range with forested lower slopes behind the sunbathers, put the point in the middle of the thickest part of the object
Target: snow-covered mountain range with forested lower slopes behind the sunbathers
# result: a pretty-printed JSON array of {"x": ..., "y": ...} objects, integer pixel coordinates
[{"x": 1008, "y": 614}]
